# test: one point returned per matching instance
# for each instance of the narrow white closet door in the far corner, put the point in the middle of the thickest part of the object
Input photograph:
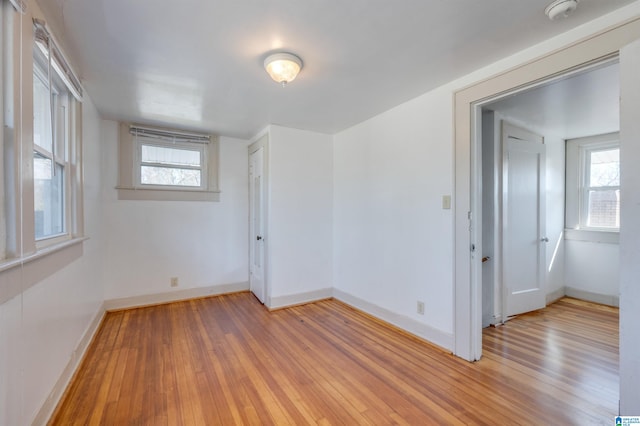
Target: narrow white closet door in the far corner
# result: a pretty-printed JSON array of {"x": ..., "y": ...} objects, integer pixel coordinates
[{"x": 256, "y": 224}]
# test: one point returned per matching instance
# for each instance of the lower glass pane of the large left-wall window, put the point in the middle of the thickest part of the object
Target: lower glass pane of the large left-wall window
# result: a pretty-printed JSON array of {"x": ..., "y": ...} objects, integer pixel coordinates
[{"x": 48, "y": 197}]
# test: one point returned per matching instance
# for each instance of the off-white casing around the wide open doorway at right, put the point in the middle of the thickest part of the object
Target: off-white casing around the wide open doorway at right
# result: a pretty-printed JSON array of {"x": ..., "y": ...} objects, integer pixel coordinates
[{"x": 467, "y": 186}]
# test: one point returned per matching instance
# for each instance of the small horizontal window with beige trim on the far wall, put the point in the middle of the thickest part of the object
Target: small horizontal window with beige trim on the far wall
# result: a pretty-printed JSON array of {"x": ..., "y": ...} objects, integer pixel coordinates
[{"x": 162, "y": 164}]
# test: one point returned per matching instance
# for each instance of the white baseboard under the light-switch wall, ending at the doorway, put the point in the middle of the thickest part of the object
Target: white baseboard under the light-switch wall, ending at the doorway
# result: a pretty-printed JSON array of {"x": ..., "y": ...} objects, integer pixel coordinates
[{"x": 437, "y": 337}]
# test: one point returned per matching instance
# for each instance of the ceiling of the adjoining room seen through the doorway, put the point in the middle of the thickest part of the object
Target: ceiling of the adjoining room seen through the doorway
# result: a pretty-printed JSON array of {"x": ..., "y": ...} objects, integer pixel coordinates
[{"x": 584, "y": 104}]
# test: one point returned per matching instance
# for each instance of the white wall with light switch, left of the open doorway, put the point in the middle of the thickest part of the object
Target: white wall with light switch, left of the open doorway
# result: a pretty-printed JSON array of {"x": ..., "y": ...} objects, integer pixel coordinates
[{"x": 392, "y": 239}]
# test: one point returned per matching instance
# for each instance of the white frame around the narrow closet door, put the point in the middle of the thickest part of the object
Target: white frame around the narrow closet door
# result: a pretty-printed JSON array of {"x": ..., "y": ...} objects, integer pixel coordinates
[{"x": 262, "y": 141}]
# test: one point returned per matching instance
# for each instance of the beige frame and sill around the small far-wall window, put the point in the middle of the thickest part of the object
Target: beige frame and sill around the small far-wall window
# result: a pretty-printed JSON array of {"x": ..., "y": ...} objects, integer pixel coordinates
[{"x": 130, "y": 143}]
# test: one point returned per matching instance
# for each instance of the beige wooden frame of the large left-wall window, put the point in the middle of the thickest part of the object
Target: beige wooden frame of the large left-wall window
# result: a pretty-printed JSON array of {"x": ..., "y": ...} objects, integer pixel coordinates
[{"x": 21, "y": 45}]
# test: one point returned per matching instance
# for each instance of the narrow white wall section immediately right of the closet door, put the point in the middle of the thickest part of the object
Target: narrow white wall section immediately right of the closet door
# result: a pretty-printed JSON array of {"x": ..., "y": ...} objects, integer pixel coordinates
[{"x": 300, "y": 216}]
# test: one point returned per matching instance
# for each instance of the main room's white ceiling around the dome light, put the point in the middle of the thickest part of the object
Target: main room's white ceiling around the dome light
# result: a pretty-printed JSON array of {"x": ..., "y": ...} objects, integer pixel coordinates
[{"x": 197, "y": 64}]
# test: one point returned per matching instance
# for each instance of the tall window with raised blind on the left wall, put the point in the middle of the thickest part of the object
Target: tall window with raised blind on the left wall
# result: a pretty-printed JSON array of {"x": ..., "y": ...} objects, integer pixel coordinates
[{"x": 56, "y": 150}]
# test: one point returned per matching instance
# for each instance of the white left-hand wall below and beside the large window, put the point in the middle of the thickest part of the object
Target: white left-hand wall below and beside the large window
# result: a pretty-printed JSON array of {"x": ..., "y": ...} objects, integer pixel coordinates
[{"x": 58, "y": 299}]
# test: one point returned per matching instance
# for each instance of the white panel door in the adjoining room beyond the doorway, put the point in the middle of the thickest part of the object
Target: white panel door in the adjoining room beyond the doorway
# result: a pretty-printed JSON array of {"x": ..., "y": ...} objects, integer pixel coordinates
[{"x": 523, "y": 225}]
